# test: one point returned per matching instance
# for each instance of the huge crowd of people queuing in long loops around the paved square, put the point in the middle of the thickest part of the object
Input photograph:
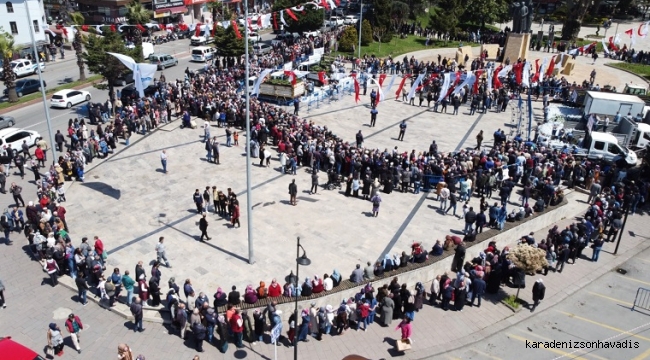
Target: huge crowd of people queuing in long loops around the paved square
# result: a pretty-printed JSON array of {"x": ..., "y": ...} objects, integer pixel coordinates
[{"x": 467, "y": 176}]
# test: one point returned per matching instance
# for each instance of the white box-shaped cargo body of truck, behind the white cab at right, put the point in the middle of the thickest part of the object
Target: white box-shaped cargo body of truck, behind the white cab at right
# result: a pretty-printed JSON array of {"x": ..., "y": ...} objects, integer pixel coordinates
[{"x": 607, "y": 103}]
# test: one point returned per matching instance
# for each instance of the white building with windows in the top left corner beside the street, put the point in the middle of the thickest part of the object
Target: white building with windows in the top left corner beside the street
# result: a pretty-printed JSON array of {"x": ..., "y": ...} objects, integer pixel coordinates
[{"x": 13, "y": 20}]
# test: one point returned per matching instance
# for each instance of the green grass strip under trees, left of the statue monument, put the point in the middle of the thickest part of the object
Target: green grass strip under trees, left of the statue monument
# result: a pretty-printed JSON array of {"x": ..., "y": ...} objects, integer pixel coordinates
[{"x": 397, "y": 46}]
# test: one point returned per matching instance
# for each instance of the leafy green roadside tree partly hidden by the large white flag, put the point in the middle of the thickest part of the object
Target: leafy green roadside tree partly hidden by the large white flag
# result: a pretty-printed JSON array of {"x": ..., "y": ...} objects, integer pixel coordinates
[{"x": 100, "y": 62}]
